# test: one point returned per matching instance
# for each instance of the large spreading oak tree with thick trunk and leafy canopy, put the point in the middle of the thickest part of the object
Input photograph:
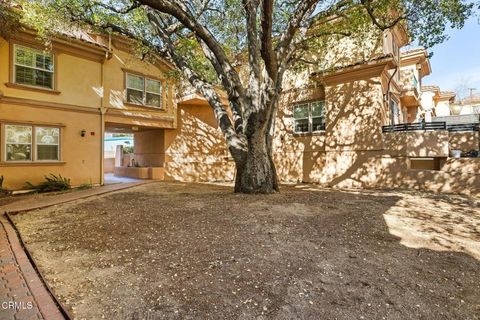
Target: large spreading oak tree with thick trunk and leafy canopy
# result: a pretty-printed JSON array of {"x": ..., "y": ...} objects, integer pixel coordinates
[{"x": 207, "y": 40}]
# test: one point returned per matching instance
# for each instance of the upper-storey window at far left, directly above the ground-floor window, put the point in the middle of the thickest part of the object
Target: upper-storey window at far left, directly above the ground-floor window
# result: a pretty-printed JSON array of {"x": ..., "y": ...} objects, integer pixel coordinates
[{"x": 33, "y": 67}]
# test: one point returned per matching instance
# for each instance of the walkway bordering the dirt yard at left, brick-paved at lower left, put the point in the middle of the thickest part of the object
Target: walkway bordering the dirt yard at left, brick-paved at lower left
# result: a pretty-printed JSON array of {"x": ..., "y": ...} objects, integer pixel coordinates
[{"x": 23, "y": 295}]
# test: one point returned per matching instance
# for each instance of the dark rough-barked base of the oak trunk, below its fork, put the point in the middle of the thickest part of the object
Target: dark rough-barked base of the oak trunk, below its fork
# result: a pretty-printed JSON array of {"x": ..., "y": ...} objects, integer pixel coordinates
[{"x": 256, "y": 172}]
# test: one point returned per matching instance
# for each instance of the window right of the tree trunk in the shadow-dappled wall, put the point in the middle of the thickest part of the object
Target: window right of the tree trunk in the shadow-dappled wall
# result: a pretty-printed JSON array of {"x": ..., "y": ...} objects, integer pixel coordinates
[{"x": 309, "y": 117}]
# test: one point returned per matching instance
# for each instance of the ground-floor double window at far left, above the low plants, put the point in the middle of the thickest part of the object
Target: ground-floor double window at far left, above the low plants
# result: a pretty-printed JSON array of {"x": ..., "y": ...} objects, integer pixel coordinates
[{"x": 21, "y": 142}]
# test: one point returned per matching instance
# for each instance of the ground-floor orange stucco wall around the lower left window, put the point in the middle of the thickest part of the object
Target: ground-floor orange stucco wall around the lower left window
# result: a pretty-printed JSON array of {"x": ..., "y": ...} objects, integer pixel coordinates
[{"x": 80, "y": 156}]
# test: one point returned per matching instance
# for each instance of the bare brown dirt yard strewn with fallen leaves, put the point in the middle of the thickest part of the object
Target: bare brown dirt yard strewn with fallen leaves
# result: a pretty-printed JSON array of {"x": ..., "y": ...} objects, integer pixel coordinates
[{"x": 198, "y": 251}]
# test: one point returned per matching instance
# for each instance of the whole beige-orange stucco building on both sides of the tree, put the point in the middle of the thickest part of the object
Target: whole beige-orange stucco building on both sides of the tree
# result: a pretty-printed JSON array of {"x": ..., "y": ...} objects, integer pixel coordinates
[{"x": 334, "y": 127}]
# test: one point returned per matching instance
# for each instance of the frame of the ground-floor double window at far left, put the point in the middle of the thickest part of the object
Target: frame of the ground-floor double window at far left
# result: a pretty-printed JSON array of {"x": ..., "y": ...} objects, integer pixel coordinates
[{"x": 33, "y": 143}]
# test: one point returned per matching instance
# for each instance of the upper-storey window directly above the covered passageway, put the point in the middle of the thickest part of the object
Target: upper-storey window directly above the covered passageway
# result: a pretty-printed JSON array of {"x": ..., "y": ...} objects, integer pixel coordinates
[{"x": 144, "y": 91}]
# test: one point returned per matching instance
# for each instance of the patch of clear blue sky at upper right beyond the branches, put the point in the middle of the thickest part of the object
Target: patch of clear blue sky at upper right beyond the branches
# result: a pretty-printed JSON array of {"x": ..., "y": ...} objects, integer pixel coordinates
[{"x": 457, "y": 60}]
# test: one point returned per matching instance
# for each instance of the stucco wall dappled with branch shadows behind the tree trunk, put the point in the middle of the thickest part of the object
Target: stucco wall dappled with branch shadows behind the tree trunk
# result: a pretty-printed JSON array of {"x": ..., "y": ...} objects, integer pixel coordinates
[{"x": 351, "y": 153}]
